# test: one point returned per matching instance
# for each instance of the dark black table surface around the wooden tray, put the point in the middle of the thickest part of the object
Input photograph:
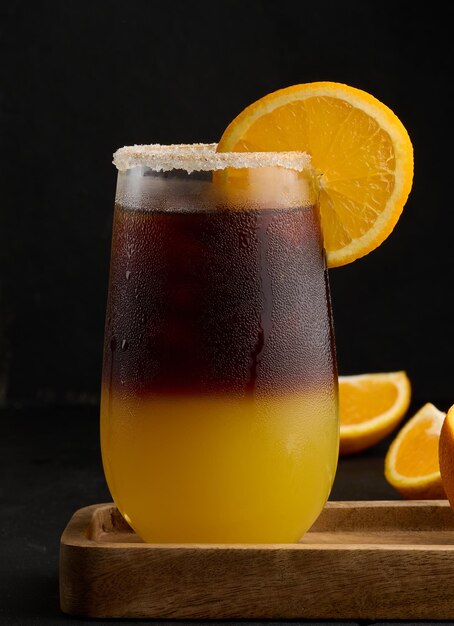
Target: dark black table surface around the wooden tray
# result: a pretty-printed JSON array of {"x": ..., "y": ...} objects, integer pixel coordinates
[{"x": 50, "y": 466}]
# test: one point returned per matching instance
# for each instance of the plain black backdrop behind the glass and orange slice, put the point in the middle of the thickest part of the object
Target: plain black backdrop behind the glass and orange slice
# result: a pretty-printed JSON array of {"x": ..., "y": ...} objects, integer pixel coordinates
[{"x": 80, "y": 79}]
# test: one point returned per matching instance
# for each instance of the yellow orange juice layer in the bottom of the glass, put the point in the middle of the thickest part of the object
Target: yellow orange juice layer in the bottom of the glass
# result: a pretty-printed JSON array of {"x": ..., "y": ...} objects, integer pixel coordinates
[{"x": 220, "y": 469}]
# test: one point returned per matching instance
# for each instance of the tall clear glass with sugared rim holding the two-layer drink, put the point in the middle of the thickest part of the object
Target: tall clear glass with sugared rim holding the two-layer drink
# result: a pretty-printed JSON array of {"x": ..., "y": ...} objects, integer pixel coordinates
[{"x": 219, "y": 410}]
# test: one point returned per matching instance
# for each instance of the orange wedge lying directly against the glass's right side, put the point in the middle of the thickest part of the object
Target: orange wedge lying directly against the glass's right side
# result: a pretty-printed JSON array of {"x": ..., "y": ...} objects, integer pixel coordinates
[{"x": 370, "y": 407}]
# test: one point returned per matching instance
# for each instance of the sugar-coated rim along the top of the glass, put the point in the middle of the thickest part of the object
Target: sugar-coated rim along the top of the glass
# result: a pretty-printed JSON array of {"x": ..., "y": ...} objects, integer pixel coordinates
[{"x": 203, "y": 157}]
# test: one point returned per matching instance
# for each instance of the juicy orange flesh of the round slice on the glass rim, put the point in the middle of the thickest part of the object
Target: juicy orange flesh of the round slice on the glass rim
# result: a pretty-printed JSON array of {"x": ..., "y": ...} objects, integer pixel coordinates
[{"x": 335, "y": 133}]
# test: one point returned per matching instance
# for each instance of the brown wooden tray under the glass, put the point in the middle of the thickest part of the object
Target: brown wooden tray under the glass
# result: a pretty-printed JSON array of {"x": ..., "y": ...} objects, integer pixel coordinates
[{"x": 360, "y": 560}]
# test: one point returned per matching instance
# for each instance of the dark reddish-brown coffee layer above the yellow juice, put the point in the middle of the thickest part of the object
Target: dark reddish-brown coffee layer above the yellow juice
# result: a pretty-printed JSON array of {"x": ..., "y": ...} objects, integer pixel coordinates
[{"x": 226, "y": 301}]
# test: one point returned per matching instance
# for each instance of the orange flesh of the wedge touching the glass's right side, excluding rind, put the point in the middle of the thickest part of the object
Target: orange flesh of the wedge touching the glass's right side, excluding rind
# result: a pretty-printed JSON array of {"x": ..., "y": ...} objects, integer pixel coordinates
[{"x": 356, "y": 407}]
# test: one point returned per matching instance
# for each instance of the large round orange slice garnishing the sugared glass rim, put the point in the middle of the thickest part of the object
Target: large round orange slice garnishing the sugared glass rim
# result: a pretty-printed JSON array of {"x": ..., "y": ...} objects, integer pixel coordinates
[{"x": 361, "y": 153}]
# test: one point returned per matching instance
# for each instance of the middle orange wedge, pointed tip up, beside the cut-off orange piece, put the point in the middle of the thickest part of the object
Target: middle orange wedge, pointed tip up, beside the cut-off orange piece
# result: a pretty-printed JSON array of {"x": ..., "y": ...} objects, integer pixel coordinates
[{"x": 411, "y": 464}]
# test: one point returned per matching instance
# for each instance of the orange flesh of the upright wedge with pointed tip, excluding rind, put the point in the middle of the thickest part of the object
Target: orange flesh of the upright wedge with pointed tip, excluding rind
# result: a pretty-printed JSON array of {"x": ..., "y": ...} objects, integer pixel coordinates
[{"x": 424, "y": 437}]
